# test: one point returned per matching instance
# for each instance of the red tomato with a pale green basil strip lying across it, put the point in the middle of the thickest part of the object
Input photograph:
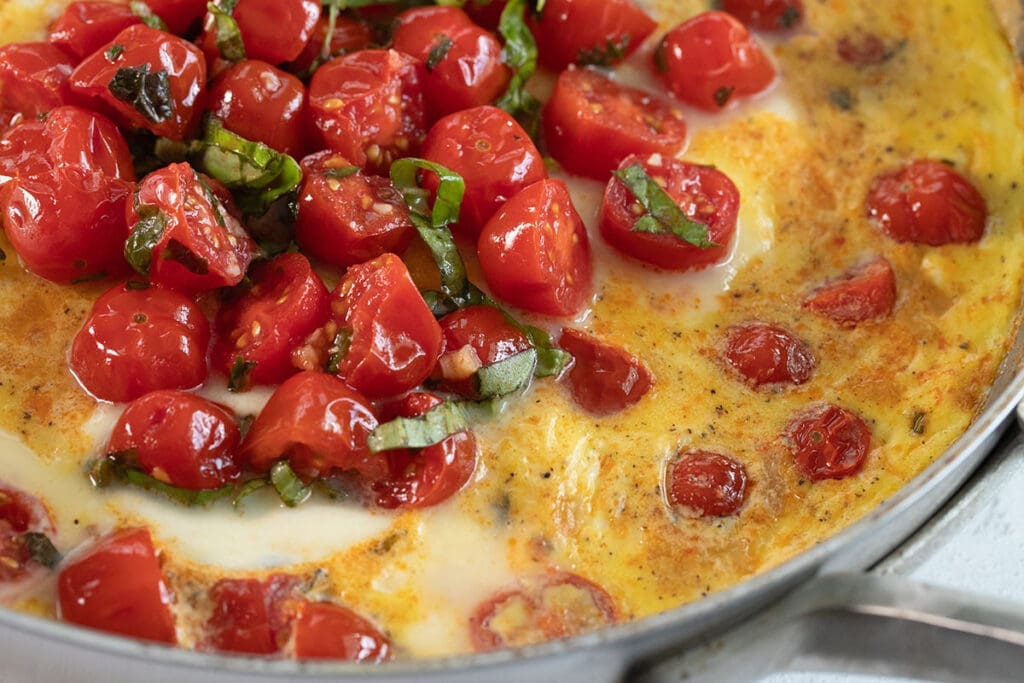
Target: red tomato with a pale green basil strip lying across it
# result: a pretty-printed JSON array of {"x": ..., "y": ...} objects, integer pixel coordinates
[{"x": 422, "y": 478}]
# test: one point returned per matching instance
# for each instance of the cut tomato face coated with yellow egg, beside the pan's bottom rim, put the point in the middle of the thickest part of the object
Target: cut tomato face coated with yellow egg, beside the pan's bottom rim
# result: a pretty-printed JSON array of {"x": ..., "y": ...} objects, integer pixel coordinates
[{"x": 541, "y": 609}]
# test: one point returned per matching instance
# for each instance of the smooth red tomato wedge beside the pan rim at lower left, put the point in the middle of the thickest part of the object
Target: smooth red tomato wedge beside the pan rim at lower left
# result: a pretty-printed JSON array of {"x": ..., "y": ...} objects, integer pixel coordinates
[{"x": 117, "y": 586}]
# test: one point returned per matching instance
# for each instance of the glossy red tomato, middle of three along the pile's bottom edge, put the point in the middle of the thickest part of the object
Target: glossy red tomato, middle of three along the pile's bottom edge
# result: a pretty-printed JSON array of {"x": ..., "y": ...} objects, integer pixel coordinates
[{"x": 319, "y": 424}]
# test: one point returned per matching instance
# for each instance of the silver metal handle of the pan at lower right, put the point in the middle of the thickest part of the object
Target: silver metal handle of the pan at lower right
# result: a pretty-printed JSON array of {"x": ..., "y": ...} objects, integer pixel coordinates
[{"x": 866, "y": 624}]
